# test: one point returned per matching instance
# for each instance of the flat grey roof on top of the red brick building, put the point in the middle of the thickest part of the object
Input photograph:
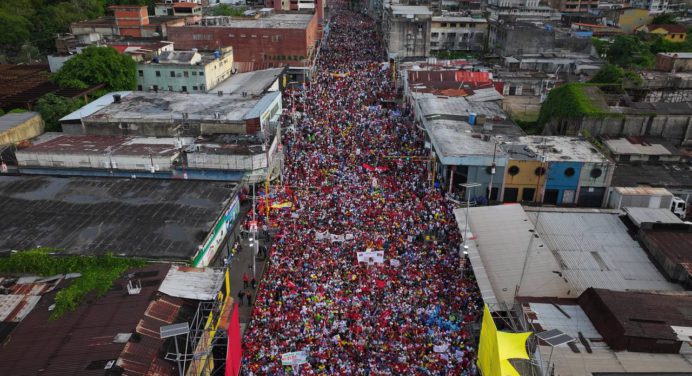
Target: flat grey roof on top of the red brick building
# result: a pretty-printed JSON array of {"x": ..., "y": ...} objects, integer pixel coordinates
[{"x": 273, "y": 21}]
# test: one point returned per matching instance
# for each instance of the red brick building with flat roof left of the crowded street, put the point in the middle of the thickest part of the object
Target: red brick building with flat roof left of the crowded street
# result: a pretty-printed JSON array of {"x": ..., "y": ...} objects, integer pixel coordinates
[{"x": 258, "y": 43}]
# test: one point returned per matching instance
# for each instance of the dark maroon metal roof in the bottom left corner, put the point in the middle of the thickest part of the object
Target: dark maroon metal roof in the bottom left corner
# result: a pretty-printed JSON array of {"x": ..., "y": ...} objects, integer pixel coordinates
[{"x": 83, "y": 341}]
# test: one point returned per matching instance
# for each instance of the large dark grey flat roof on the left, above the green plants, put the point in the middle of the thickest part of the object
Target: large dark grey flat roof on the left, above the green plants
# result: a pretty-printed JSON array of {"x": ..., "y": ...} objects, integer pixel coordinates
[{"x": 146, "y": 218}]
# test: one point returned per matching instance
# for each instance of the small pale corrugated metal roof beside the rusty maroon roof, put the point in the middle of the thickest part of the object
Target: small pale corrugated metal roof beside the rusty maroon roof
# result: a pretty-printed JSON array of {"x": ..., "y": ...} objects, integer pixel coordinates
[{"x": 193, "y": 283}]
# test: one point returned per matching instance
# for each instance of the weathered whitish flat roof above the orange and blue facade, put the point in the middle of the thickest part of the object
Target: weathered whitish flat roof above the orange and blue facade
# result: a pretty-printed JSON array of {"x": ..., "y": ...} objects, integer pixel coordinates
[{"x": 562, "y": 149}]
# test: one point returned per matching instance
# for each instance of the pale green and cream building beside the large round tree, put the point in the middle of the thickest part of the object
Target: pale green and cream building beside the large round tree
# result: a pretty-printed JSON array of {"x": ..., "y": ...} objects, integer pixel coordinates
[{"x": 185, "y": 71}]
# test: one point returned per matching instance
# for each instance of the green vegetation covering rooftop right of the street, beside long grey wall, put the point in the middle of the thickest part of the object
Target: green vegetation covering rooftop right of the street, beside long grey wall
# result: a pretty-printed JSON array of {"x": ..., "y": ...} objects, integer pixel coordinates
[{"x": 573, "y": 101}]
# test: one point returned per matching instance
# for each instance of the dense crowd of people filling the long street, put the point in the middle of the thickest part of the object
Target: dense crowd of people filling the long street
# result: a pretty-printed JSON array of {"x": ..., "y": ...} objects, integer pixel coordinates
[{"x": 355, "y": 183}]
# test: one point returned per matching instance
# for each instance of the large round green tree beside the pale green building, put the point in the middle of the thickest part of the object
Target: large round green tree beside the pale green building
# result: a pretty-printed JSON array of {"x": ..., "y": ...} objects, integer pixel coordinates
[{"x": 98, "y": 65}]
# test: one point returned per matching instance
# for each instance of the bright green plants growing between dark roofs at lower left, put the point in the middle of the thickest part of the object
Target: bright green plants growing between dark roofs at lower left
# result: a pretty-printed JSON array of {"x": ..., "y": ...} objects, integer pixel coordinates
[{"x": 98, "y": 273}]
